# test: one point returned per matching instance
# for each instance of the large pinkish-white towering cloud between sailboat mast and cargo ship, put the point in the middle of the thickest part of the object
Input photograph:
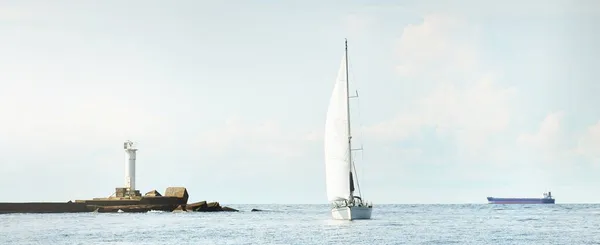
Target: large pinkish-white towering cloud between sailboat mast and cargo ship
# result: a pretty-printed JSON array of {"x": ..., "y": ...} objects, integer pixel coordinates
[{"x": 465, "y": 104}]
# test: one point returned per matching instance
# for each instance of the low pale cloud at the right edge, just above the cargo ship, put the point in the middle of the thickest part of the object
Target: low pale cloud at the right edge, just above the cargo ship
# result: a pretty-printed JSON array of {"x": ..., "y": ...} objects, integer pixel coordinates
[{"x": 553, "y": 157}]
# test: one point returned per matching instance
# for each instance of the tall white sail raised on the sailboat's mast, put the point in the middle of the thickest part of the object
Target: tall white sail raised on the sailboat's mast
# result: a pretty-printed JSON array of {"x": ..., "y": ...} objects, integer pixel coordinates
[{"x": 337, "y": 164}]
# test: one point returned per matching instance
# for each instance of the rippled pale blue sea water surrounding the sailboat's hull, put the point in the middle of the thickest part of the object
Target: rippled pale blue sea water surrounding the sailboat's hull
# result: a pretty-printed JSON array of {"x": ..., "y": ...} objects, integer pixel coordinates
[{"x": 311, "y": 224}]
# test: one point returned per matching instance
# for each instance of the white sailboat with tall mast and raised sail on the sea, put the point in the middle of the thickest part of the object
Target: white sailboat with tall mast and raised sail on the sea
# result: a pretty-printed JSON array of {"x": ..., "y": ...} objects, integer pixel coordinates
[{"x": 340, "y": 171}]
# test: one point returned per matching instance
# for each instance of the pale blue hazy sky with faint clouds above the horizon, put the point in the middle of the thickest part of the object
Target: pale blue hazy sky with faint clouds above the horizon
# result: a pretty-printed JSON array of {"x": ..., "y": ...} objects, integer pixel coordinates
[{"x": 457, "y": 100}]
